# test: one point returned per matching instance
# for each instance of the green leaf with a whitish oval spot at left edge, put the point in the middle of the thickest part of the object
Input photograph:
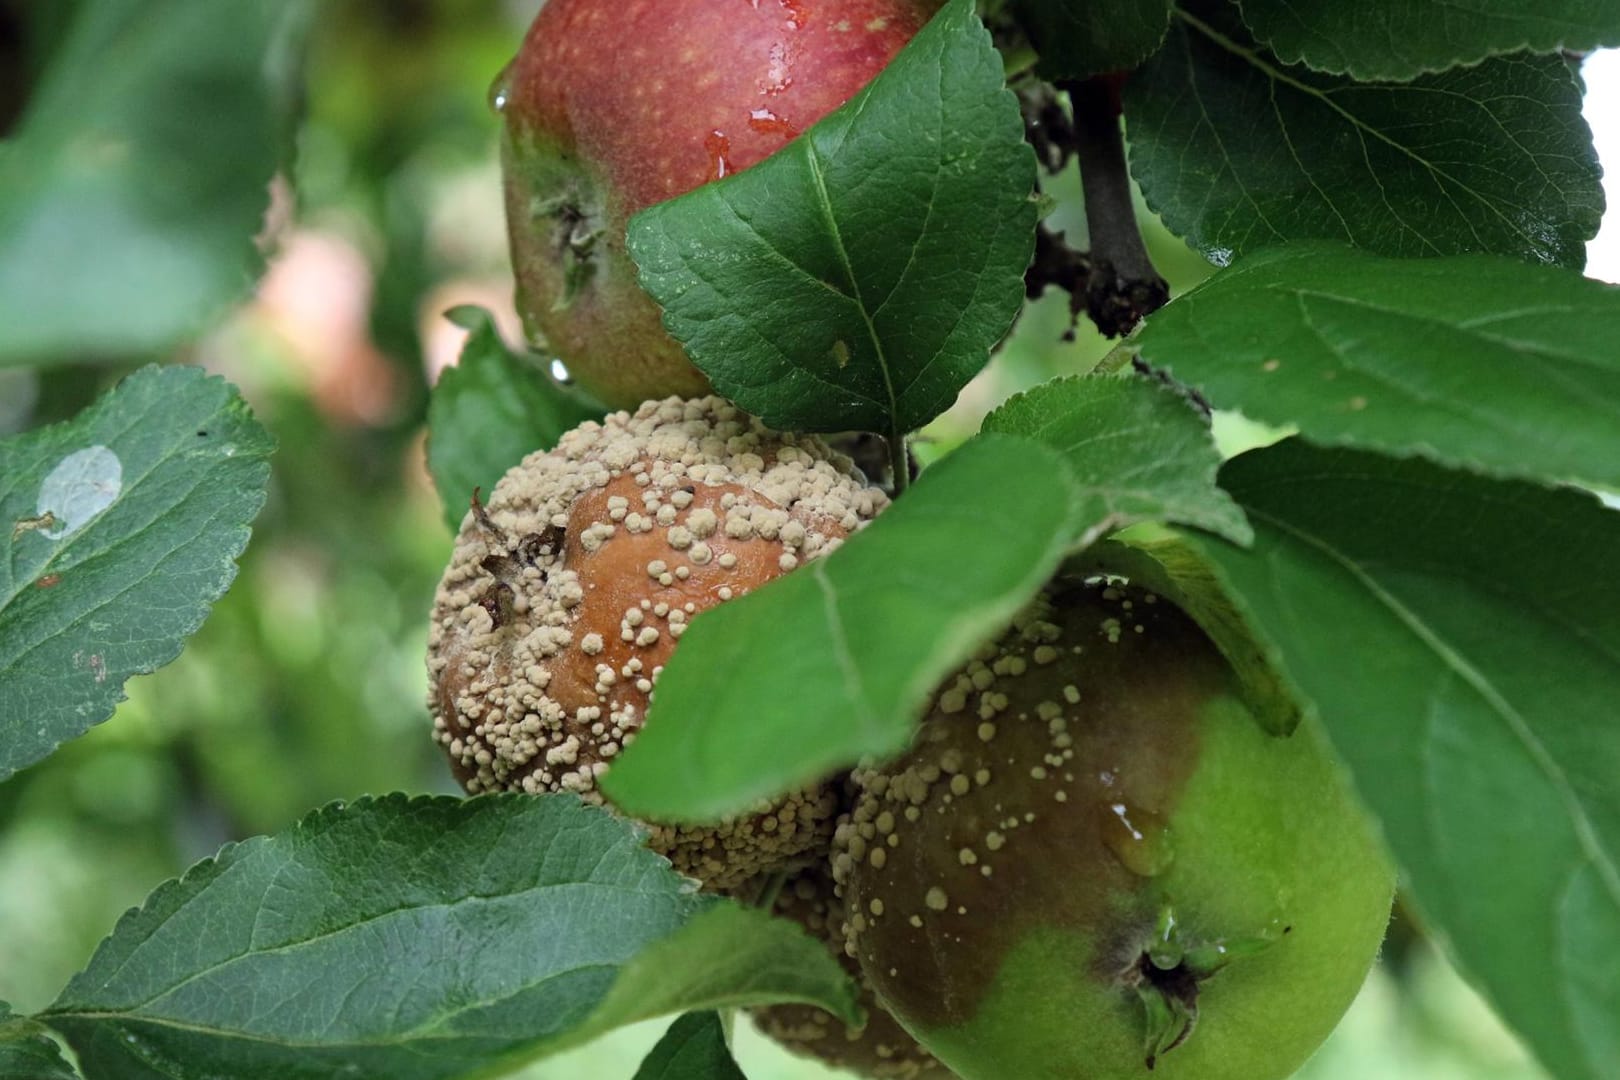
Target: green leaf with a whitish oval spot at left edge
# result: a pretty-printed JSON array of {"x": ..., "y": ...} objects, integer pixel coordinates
[{"x": 117, "y": 534}]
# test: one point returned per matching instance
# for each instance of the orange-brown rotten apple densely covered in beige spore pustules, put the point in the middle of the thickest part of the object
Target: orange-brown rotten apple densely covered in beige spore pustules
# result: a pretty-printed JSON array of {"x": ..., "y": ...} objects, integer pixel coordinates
[{"x": 571, "y": 587}]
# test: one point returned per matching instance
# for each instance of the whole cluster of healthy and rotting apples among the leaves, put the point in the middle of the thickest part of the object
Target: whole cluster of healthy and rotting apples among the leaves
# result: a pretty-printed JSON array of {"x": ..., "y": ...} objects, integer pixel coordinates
[{"x": 1093, "y": 864}]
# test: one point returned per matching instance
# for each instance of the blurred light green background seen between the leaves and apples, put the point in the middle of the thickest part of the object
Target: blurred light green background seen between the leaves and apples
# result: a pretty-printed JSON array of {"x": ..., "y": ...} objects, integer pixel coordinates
[{"x": 307, "y": 682}]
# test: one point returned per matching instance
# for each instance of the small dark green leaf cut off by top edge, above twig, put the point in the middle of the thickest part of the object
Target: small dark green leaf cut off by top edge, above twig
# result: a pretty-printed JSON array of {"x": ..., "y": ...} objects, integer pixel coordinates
[{"x": 1083, "y": 38}]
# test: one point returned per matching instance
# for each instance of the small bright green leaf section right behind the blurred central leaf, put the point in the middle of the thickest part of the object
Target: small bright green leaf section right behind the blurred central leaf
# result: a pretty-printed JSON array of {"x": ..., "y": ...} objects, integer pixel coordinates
[{"x": 1138, "y": 449}]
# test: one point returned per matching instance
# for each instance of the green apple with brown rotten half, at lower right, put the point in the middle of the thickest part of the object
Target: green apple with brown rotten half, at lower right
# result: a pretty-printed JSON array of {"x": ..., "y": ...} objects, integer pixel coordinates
[{"x": 1117, "y": 784}]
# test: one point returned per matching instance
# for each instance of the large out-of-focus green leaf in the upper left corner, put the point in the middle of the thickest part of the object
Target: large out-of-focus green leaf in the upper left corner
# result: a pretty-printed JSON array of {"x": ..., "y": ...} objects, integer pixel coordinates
[{"x": 134, "y": 189}]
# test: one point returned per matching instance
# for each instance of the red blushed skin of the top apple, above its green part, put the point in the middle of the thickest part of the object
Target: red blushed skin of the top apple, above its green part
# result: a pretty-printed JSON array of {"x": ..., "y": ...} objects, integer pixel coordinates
[{"x": 639, "y": 88}]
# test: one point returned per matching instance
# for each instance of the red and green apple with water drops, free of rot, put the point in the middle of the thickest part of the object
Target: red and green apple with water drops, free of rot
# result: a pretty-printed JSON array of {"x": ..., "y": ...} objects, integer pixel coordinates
[{"x": 615, "y": 106}]
